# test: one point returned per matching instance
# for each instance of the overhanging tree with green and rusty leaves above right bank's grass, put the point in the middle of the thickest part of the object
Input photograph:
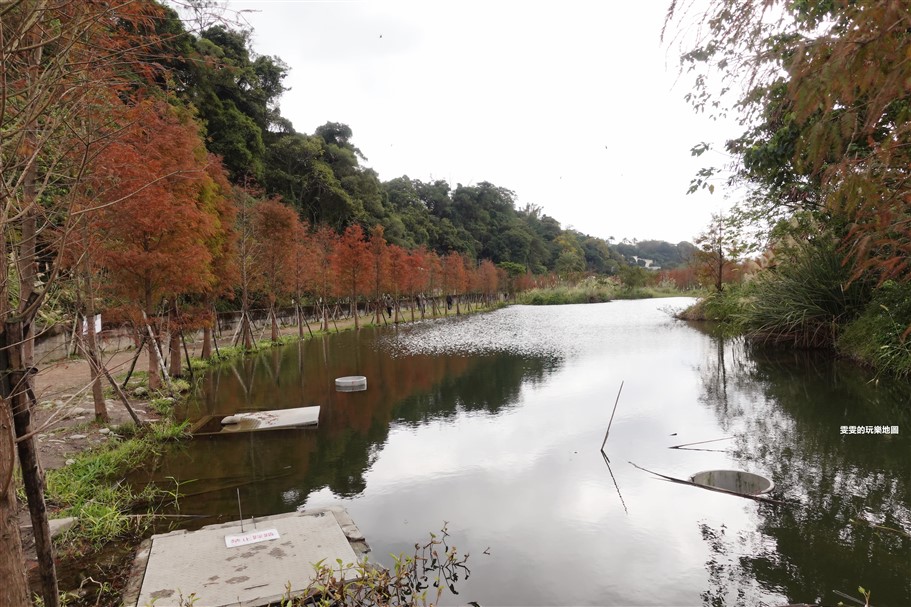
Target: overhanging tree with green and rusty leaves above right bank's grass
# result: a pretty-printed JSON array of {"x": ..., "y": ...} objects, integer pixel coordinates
[{"x": 823, "y": 89}]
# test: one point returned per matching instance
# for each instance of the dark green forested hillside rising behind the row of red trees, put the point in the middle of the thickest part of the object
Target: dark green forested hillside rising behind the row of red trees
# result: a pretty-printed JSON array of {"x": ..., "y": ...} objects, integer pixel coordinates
[{"x": 327, "y": 179}]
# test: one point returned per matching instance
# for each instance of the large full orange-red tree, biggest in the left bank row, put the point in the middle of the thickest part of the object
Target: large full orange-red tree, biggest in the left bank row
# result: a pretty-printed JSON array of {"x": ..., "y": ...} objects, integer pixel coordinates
[{"x": 155, "y": 214}]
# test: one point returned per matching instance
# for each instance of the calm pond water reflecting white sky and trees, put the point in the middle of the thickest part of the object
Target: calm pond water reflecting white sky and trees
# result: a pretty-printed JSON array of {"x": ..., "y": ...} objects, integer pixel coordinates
[{"x": 493, "y": 424}]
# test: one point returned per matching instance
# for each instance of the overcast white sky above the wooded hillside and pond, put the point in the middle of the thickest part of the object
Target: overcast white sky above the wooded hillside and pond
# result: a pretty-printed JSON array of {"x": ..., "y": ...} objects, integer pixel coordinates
[{"x": 573, "y": 105}]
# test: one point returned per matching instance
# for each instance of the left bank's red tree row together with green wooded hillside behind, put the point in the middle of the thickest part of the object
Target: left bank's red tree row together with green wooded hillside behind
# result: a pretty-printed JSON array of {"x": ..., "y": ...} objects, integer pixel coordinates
[{"x": 149, "y": 176}]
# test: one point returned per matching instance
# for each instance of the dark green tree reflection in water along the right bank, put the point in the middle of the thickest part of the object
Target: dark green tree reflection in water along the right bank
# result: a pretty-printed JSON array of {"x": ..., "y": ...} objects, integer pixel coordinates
[{"x": 786, "y": 410}]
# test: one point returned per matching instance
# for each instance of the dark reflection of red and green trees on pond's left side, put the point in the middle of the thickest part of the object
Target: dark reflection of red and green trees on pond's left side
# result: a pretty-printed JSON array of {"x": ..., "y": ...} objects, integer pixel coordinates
[{"x": 276, "y": 470}]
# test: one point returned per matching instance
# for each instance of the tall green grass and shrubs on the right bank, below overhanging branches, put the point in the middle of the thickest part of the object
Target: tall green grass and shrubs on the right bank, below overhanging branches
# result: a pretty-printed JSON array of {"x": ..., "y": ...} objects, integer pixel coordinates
[{"x": 811, "y": 301}]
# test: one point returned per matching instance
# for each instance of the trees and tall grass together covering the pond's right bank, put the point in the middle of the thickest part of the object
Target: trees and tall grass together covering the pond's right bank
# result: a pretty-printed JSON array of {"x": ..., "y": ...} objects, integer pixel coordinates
[{"x": 821, "y": 168}]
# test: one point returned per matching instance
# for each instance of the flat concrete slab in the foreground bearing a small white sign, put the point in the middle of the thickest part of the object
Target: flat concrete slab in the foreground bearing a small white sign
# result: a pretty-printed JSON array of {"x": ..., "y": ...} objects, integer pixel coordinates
[{"x": 225, "y": 566}]
